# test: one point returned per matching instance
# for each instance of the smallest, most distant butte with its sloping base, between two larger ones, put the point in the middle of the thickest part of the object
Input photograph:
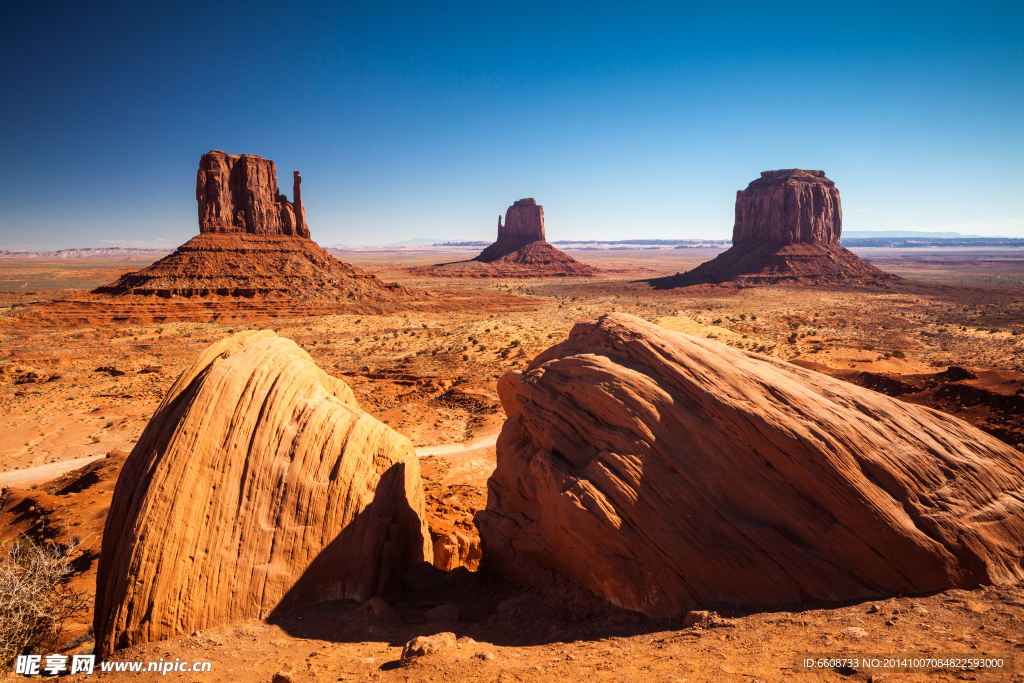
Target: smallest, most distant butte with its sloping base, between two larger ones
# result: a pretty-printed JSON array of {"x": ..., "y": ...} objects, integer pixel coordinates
[{"x": 521, "y": 251}]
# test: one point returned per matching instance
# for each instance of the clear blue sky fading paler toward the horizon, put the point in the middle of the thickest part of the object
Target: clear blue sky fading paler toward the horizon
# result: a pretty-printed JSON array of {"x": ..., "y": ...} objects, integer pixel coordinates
[{"x": 428, "y": 120}]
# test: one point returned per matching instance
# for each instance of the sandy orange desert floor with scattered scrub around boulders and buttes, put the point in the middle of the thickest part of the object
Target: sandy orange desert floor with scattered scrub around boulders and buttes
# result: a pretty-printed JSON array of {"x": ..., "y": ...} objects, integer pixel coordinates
[{"x": 75, "y": 397}]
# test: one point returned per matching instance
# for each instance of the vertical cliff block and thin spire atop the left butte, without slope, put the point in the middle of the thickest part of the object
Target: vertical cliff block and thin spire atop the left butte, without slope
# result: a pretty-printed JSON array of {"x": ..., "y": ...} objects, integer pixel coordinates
[{"x": 239, "y": 194}]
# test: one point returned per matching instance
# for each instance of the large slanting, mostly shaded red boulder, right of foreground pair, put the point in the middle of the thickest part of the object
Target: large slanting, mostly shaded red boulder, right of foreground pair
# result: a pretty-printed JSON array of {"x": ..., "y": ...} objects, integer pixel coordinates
[{"x": 664, "y": 472}]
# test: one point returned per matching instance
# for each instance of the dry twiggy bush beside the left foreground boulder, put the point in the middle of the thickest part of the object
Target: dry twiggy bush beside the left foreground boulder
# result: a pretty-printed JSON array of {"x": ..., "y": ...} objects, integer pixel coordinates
[{"x": 35, "y": 600}]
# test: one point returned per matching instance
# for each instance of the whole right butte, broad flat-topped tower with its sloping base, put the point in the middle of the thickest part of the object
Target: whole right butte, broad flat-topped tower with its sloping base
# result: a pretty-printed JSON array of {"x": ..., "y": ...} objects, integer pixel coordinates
[{"x": 787, "y": 231}]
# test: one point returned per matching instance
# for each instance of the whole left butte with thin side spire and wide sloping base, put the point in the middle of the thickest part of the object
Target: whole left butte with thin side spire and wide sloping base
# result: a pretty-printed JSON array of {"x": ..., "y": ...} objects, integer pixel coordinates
[{"x": 254, "y": 244}]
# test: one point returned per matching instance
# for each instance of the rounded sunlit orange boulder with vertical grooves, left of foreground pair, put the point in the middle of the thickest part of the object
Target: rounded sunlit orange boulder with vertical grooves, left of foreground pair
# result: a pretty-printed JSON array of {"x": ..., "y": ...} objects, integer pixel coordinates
[{"x": 258, "y": 487}]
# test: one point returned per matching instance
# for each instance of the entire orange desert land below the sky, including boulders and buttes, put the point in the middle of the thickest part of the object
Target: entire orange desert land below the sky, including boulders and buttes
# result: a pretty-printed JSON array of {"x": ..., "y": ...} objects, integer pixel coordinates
[{"x": 461, "y": 385}]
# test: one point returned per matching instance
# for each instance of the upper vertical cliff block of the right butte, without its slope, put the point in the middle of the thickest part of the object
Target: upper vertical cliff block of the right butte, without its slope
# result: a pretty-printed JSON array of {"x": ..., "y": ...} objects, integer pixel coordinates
[{"x": 789, "y": 206}]
